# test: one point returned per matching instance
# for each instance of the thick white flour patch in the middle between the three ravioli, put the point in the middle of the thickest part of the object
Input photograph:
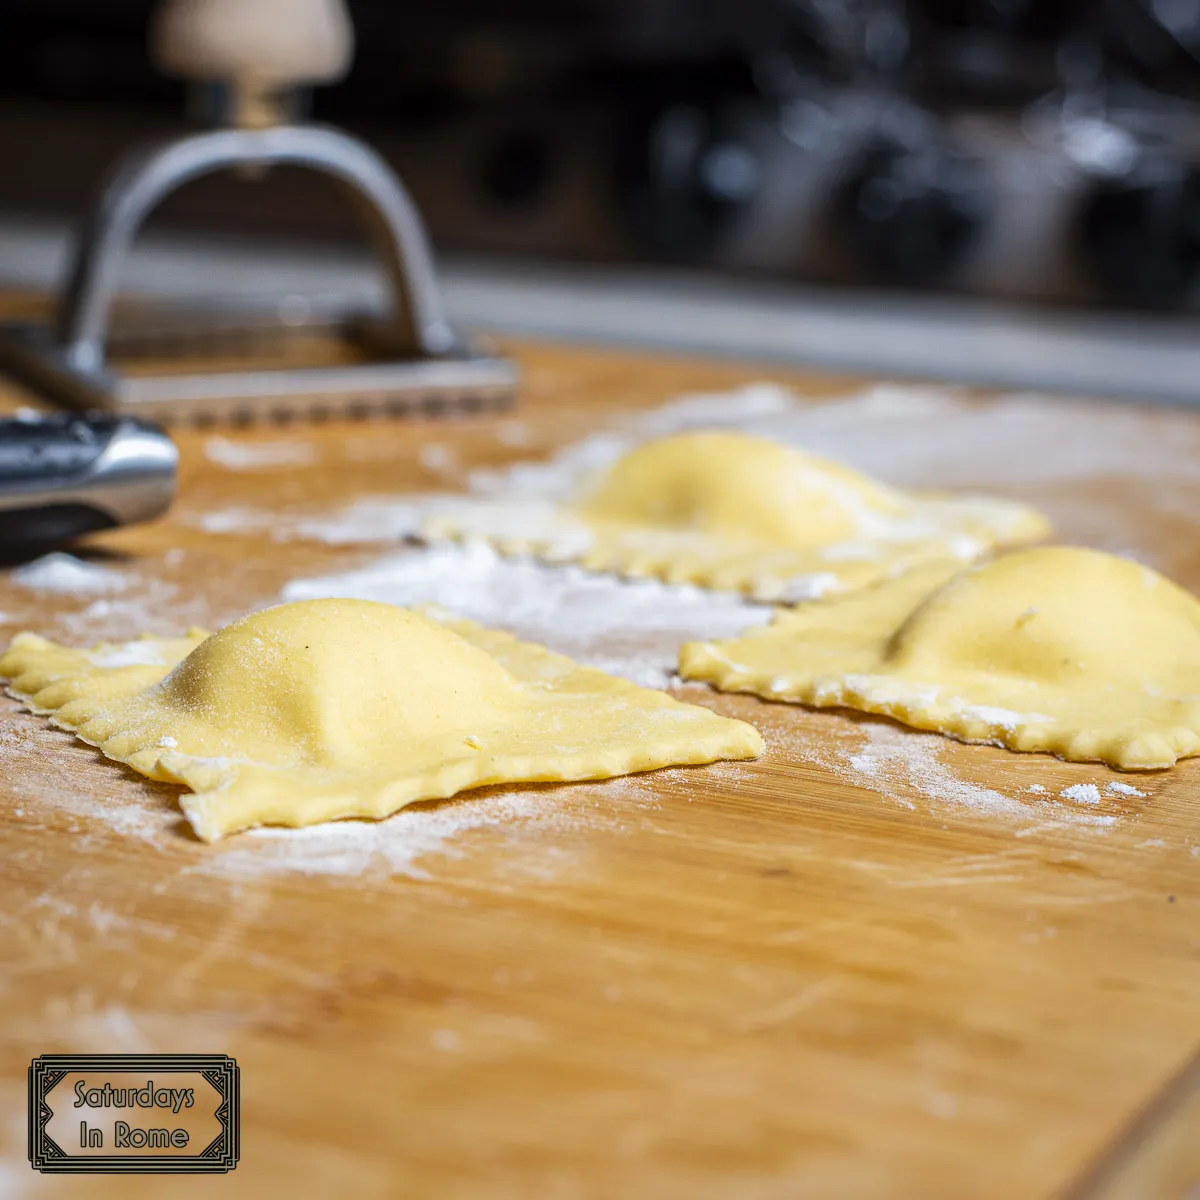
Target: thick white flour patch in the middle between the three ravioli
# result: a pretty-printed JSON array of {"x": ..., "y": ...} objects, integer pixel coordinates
[{"x": 632, "y": 629}]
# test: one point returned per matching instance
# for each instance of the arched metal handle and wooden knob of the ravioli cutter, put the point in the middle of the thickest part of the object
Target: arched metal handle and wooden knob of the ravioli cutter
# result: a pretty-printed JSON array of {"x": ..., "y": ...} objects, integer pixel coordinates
[{"x": 260, "y": 53}]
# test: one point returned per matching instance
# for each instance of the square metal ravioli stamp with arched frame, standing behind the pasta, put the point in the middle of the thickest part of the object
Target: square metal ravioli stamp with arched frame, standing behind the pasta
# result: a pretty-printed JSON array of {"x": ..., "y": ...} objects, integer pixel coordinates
[{"x": 405, "y": 363}]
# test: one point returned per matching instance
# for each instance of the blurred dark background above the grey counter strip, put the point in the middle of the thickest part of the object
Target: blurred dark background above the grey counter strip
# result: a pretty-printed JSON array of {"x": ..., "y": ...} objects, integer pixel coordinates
[{"x": 1040, "y": 149}]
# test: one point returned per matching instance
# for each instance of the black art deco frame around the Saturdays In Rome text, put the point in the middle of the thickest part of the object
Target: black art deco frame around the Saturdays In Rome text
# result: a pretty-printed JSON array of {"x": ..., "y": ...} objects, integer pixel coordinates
[{"x": 219, "y": 1157}]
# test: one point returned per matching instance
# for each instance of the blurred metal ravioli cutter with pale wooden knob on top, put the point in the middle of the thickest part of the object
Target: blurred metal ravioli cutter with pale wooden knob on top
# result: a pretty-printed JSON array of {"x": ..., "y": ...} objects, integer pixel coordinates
[{"x": 409, "y": 362}]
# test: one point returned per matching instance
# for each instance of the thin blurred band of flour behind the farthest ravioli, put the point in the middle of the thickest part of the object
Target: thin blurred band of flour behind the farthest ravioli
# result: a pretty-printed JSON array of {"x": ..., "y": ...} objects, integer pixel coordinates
[{"x": 907, "y": 436}]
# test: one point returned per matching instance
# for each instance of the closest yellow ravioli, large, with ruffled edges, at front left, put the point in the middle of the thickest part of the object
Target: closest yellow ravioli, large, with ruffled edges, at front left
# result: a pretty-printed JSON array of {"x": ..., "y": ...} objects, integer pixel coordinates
[{"x": 349, "y": 709}]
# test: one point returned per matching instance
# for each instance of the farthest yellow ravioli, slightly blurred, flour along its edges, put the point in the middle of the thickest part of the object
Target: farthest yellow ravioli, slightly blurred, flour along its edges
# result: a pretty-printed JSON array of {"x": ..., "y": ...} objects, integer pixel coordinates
[{"x": 742, "y": 513}]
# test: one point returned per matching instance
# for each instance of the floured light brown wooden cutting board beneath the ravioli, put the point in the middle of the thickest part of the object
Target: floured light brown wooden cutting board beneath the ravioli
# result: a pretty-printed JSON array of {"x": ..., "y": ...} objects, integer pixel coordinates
[{"x": 773, "y": 980}]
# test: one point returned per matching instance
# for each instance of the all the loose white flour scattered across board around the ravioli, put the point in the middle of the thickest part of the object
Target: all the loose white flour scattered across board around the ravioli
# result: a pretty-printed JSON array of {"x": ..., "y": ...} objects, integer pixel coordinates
[{"x": 908, "y": 436}]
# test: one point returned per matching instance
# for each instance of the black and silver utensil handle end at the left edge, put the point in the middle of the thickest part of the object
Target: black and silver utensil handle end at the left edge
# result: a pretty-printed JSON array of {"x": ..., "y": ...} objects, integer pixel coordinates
[{"x": 63, "y": 477}]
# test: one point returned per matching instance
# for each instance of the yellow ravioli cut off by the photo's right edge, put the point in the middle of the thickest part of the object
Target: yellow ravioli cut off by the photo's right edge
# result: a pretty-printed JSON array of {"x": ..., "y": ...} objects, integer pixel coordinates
[{"x": 1069, "y": 651}]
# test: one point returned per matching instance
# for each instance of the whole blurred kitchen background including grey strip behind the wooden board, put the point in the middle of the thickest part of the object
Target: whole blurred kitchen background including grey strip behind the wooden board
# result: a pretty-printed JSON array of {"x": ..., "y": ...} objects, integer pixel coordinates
[{"x": 988, "y": 191}]
